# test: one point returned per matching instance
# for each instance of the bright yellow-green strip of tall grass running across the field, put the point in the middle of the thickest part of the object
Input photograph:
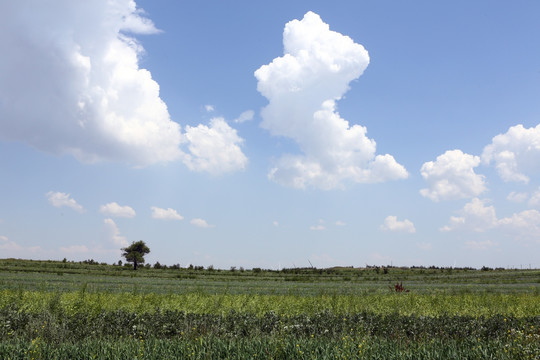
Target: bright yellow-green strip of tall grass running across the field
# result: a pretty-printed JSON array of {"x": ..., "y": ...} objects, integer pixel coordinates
[{"x": 403, "y": 304}]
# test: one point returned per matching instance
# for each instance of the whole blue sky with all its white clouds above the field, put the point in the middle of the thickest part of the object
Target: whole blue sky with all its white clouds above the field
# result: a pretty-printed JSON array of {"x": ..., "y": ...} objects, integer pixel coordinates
[{"x": 271, "y": 135}]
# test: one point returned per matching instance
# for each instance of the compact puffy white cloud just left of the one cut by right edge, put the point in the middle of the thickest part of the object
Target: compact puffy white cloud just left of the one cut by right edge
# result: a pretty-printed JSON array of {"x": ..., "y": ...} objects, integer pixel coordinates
[{"x": 452, "y": 176}]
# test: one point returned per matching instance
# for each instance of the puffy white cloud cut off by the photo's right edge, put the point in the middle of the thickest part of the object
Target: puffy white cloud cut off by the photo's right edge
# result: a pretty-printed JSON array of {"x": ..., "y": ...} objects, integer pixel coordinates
[{"x": 515, "y": 153}]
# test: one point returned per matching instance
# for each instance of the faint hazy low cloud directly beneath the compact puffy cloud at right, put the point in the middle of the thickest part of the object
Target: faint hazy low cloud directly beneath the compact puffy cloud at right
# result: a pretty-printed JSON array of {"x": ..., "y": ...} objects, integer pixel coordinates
[{"x": 475, "y": 216}]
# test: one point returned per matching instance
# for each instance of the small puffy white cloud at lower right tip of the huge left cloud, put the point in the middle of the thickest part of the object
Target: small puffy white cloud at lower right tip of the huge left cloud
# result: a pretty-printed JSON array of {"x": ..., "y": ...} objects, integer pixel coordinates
[{"x": 215, "y": 149}]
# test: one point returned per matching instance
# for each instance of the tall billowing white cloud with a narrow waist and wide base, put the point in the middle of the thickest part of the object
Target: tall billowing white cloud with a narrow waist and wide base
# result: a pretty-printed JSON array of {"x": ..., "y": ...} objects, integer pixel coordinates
[{"x": 302, "y": 88}]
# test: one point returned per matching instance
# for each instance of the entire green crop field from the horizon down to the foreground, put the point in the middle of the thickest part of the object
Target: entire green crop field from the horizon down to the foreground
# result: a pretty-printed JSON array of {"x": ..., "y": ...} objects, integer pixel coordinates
[{"x": 66, "y": 310}]
